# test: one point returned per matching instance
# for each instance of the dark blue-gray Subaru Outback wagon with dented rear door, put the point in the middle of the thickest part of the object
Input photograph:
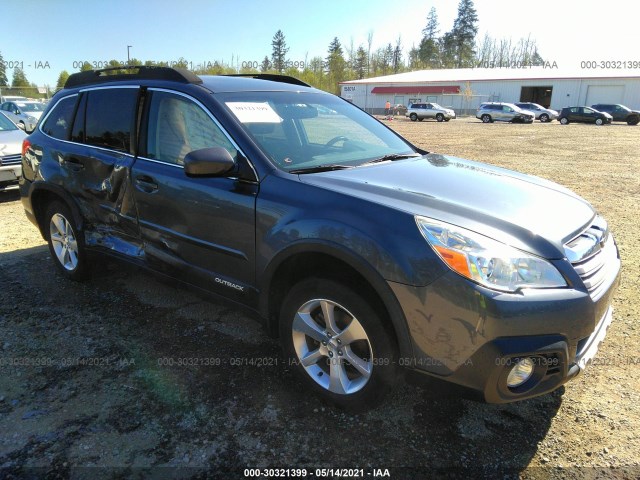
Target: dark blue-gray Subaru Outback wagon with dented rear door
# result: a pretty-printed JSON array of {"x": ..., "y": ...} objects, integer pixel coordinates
[{"x": 363, "y": 253}]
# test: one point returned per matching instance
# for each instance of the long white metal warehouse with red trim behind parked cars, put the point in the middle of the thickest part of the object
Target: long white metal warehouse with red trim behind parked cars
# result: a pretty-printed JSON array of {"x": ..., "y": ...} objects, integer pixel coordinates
[{"x": 464, "y": 89}]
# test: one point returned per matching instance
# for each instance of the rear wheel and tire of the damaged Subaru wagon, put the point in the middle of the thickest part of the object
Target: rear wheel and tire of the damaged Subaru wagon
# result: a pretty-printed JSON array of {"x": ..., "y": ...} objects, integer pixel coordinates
[{"x": 66, "y": 241}]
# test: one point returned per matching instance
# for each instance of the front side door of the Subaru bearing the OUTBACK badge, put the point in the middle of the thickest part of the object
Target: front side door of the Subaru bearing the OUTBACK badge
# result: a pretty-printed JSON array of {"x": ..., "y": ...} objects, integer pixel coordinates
[{"x": 199, "y": 229}]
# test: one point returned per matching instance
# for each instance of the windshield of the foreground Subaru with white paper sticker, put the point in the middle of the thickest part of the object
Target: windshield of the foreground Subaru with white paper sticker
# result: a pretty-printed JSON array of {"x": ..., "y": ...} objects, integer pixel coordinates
[{"x": 311, "y": 131}]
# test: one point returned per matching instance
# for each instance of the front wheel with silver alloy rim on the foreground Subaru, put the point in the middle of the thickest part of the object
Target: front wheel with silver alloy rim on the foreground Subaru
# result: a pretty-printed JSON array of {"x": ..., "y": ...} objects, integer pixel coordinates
[{"x": 358, "y": 391}]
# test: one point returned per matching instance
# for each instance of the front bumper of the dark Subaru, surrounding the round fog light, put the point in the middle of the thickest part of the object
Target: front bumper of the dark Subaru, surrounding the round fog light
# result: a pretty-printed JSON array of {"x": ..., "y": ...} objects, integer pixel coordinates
[{"x": 473, "y": 336}]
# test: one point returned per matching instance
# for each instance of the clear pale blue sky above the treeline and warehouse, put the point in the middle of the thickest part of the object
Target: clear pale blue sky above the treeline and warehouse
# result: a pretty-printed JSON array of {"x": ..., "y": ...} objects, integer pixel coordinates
[{"x": 60, "y": 34}]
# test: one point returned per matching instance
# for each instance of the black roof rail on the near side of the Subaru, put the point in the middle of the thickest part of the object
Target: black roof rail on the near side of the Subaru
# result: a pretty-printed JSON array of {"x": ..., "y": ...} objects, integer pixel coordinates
[{"x": 138, "y": 72}]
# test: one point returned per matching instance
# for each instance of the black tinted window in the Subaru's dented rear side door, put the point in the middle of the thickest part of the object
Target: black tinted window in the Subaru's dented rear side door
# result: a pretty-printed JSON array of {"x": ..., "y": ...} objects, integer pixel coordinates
[{"x": 110, "y": 117}]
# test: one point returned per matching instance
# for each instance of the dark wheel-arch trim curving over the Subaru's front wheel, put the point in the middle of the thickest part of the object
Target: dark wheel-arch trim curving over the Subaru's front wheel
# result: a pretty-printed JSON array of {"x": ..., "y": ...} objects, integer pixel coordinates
[{"x": 356, "y": 262}]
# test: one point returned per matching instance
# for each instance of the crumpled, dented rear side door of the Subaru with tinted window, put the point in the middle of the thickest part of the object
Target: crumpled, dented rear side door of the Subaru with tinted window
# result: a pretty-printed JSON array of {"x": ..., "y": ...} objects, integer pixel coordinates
[{"x": 96, "y": 161}]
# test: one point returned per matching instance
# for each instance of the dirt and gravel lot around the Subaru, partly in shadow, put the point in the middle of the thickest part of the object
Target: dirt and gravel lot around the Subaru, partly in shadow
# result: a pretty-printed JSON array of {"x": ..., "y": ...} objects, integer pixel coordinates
[{"x": 90, "y": 374}]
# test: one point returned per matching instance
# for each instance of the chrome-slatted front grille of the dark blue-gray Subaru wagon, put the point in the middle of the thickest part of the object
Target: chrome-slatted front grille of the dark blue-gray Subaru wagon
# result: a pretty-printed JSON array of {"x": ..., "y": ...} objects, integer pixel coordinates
[{"x": 594, "y": 256}]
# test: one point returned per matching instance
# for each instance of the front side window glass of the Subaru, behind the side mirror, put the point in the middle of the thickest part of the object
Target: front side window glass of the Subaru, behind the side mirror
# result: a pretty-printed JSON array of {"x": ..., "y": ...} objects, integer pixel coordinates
[{"x": 178, "y": 126}]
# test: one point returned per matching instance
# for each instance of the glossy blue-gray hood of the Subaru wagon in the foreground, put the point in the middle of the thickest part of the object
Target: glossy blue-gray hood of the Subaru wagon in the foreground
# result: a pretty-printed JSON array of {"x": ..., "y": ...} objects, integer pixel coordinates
[{"x": 523, "y": 211}]
